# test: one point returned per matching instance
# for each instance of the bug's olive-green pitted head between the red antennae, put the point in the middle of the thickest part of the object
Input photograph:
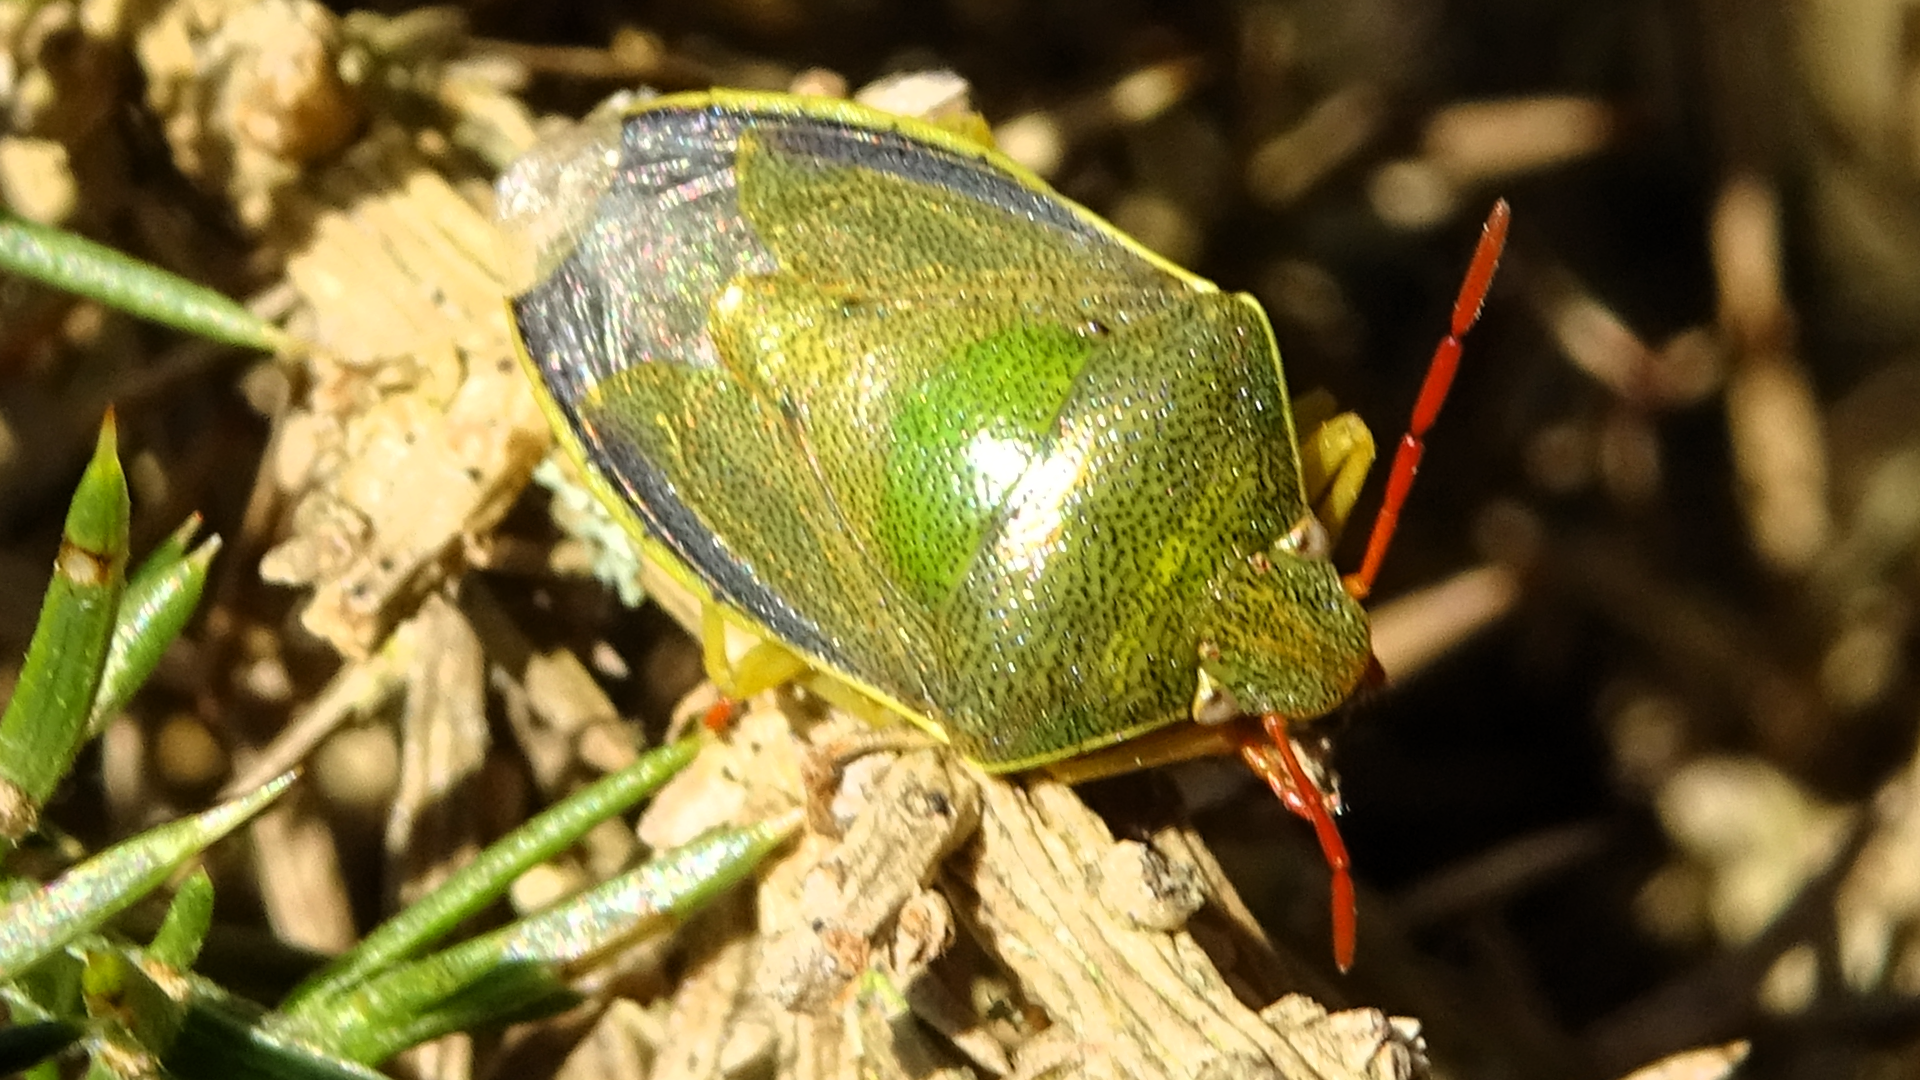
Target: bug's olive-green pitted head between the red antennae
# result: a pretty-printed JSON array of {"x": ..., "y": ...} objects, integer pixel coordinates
[{"x": 1284, "y": 635}]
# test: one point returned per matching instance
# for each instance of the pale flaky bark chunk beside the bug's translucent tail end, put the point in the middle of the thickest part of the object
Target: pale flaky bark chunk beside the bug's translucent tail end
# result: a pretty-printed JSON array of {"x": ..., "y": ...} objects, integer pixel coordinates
[{"x": 421, "y": 428}]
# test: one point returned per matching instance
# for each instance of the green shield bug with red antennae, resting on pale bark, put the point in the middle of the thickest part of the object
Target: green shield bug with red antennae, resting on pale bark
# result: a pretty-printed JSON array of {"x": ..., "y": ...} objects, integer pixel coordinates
[{"x": 948, "y": 441}]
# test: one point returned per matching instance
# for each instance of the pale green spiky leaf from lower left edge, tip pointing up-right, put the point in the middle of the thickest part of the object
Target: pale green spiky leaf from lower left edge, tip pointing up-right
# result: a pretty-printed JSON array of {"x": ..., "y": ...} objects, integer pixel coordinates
[{"x": 97, "y": 891}]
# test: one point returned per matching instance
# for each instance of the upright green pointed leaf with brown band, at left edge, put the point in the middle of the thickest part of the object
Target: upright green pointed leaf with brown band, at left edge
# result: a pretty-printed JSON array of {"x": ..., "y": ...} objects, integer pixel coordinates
[{"x": 47, "y": 720}]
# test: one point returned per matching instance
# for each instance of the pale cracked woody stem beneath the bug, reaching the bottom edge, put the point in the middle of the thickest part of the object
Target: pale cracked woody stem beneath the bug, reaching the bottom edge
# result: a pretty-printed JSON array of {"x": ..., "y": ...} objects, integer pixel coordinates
[{"x": 855, "y": 973}]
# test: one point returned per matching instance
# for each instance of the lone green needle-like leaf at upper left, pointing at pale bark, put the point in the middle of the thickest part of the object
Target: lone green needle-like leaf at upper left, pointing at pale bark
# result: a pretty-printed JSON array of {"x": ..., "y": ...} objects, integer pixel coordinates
[{"x": 97, "y": 272}]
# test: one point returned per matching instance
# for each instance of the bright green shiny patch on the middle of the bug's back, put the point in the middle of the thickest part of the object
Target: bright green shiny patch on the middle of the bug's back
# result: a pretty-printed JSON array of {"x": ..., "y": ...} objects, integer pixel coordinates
[{"x": 963, "y": 443}]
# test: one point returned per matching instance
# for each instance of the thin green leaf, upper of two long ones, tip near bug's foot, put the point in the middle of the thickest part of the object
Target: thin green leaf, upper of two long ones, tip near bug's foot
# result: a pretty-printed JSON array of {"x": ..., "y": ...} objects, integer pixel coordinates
[{"x": 489, "y": 875}]
